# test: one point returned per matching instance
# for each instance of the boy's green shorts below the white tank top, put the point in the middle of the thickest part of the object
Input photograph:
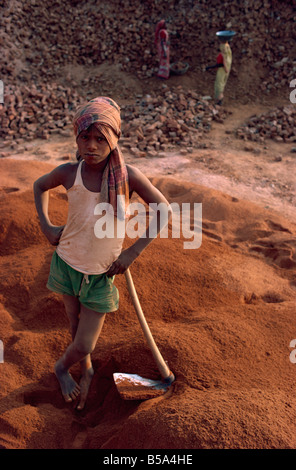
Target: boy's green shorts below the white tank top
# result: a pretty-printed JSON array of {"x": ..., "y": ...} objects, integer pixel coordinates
[{"x": 95, "y": 291}]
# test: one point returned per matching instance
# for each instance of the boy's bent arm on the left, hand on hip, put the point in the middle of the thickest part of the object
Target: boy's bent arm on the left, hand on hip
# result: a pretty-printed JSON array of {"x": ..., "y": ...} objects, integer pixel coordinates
[{"x": 41, "y": 195}]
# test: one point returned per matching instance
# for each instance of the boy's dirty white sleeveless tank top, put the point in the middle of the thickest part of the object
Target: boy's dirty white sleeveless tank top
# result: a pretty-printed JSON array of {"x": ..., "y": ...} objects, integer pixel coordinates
[{"x": 79, "y": 245}]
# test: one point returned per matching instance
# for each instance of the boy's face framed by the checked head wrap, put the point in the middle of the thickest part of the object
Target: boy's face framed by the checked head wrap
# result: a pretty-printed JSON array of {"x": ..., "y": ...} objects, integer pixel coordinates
[{"x": 92, "y": 146}]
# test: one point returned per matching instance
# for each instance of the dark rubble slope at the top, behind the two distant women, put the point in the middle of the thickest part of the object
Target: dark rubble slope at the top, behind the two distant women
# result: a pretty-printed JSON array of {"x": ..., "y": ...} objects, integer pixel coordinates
[{"x": 48, "y": 35}]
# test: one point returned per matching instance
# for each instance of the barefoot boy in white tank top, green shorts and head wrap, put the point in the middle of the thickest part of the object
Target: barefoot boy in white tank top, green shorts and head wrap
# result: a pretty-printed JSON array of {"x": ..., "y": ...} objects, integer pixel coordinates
[{"x": 83, "y": 266}]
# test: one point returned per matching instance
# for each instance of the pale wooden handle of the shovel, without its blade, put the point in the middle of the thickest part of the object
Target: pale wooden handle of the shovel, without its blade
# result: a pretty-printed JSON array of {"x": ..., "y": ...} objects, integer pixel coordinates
[{"x": 162, "y": 366}]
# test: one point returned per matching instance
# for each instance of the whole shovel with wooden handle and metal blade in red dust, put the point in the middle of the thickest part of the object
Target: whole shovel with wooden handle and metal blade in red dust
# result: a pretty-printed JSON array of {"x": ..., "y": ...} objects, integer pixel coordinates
[{"x": 133, "y": 386}]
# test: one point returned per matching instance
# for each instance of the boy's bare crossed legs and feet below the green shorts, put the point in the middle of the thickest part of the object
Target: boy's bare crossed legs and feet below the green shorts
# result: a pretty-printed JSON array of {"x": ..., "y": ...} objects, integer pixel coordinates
[{"x": 87, "y": 333}]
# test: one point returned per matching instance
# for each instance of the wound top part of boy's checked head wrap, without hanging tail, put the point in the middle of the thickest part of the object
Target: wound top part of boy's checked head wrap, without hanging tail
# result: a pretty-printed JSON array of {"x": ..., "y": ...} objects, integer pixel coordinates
[{"x": 104, "y": 113}]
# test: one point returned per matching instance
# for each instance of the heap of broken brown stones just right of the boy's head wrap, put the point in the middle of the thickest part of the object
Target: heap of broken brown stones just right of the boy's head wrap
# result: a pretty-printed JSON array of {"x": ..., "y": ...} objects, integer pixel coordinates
[{"x": 160, "y": 122}]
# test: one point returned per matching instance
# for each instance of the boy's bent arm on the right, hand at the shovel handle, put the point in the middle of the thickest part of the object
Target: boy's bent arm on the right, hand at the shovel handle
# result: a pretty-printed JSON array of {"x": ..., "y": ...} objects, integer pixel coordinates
[{"x": 139, "y": 183}]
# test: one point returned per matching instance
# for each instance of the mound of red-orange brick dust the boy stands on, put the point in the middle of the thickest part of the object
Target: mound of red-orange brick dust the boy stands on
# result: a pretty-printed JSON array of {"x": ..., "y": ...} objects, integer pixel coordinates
[{"x": 222, "y": 316}]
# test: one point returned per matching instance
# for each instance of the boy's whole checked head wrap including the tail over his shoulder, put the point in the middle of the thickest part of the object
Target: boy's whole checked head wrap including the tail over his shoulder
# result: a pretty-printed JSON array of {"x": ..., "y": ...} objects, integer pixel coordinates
[{"x": 104, "y": 113}]
